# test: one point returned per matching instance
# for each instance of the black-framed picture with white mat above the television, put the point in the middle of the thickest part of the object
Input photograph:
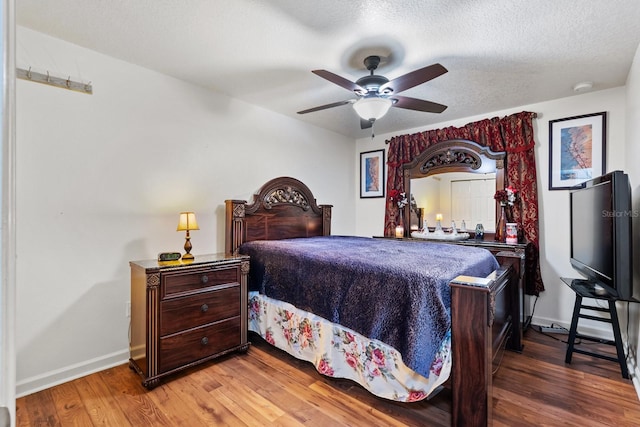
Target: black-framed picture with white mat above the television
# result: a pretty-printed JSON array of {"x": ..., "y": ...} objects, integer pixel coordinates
[{"x": 576, "y": 150}]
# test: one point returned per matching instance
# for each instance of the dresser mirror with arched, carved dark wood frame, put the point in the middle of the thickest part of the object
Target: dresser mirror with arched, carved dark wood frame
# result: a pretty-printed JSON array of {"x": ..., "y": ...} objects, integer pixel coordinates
[{"x": 456, "y": 179}]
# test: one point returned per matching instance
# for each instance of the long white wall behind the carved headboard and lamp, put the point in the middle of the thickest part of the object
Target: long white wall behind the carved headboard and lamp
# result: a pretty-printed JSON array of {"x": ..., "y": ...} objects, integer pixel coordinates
[{"x": 102, "y": 178}]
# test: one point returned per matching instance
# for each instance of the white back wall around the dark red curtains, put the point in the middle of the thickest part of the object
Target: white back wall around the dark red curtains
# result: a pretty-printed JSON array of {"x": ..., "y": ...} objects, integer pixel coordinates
[{"x": 556, "y": 303}]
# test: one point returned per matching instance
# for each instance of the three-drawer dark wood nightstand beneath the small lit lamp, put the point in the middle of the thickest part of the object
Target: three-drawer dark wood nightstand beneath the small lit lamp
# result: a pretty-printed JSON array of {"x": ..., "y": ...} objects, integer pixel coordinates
[{"x": 186, "y": 312}]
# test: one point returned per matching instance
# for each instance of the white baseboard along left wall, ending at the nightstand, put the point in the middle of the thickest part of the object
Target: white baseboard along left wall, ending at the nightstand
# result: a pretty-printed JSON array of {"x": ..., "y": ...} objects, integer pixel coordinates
[{"x": 63, "y": 375}]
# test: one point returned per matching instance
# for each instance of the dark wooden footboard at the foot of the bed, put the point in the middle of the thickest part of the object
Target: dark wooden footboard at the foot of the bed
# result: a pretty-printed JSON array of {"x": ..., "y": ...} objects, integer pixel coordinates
[{"x": 482, "y": 314}]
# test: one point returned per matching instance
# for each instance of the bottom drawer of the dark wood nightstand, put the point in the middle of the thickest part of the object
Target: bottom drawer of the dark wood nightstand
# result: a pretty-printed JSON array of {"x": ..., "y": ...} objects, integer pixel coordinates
[{"x": 195, "y": 344}]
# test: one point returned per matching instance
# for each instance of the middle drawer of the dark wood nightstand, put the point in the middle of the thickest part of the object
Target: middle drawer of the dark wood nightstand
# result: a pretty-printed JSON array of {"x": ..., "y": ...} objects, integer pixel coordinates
[{"x": 177, "y": 314}]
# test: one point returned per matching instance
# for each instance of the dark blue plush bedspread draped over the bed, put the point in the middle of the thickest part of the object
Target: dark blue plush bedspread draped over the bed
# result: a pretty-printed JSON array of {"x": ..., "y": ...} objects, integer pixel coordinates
[{"x": 390, "y": 290}]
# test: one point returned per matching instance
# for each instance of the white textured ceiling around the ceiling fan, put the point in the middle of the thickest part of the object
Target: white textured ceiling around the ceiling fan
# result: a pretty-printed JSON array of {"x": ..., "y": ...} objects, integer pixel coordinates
[{"x": 500, "y": 53}]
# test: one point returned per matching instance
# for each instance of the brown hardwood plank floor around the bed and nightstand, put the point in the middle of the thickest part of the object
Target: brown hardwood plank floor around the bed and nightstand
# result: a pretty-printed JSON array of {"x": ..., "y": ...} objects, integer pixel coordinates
[{"x": 267, "y": 387}]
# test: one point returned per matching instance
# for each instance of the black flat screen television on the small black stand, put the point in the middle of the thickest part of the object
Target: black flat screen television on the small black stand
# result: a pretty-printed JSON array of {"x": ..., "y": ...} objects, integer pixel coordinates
[{"x": 601, "y": 240}]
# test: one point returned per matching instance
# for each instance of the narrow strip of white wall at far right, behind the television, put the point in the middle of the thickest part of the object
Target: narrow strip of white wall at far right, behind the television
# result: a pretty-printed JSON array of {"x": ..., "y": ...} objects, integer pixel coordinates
[{"x": 632, "y": 147}]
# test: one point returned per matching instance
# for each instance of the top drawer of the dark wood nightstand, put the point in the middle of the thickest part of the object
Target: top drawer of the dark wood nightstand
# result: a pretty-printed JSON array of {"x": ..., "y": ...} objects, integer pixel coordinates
[{"x": 178, "y": 283}]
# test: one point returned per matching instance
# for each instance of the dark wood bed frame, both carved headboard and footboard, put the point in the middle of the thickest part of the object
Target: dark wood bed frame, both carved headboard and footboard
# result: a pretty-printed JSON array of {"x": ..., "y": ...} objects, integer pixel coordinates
[{"x": 482, "y": 309}]
